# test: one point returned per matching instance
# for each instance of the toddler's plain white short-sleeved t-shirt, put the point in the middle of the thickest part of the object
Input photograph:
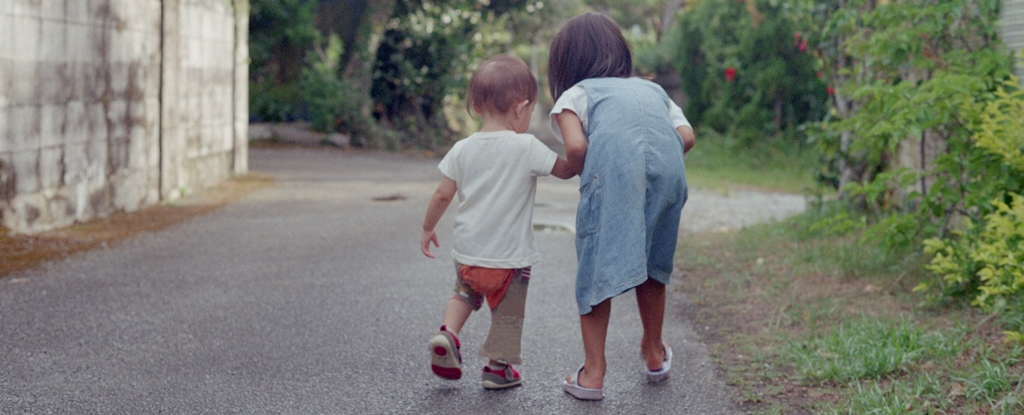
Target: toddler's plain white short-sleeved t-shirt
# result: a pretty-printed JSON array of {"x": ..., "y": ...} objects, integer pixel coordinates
[{"x": 496, "y": 177}]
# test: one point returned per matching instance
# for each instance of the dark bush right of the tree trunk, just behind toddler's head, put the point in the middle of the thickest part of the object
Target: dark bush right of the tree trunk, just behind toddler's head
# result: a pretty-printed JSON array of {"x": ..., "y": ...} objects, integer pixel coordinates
[{"x": 426, "y": 54}]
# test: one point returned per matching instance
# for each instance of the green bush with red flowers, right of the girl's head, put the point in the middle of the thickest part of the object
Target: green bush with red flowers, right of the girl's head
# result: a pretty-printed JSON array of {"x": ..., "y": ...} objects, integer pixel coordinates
[{"x": 749, "y": 71}]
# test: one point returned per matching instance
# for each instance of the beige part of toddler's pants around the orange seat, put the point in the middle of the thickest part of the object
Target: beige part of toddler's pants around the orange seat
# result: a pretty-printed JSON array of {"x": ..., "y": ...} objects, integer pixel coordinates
[{"x": 505, "y": 339}]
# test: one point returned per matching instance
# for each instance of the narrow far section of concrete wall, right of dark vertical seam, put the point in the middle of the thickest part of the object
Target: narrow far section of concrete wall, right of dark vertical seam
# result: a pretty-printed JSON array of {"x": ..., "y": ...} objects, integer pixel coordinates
[{"x": 200, "y": 132}]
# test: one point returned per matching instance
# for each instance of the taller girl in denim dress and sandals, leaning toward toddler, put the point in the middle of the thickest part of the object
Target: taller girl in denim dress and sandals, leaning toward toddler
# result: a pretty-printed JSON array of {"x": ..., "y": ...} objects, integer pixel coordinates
[{"x": 626, "y": 140}]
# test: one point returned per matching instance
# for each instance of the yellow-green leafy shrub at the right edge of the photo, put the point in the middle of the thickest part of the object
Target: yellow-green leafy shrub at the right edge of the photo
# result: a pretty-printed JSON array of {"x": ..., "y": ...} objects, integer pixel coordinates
[{"x": 986, "y": 261}]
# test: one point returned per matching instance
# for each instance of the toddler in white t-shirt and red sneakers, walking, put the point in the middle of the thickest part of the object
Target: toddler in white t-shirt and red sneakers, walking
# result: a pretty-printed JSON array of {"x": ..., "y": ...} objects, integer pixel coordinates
[{"x": 495, "y": 174}]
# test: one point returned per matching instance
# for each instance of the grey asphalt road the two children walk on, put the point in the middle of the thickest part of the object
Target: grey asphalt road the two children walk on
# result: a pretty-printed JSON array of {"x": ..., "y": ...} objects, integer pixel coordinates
[{"x": 313, "y": 298}]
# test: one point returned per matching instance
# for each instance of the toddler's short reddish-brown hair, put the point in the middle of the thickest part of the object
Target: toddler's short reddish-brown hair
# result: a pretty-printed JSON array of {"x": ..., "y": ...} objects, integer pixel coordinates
[{"x": 499, "y": 85}]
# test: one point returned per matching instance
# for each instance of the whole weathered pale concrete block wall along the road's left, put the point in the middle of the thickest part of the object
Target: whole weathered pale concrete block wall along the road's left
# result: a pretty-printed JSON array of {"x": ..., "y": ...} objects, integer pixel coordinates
[{"x": 114, "y": 105}]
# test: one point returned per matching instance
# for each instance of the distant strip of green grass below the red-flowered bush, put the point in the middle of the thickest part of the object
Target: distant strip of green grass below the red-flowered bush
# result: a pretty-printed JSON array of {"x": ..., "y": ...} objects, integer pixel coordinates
[{"x": 722, "y": 164}]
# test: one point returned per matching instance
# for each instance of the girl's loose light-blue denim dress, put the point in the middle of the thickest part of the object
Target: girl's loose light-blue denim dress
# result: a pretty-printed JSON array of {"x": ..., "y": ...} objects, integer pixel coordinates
[{"x": 632, "y": 190}]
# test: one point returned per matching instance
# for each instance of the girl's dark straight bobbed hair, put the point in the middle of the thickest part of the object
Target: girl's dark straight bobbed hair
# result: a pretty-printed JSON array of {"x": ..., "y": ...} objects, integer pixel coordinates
[{"x": 590, "y": 46}]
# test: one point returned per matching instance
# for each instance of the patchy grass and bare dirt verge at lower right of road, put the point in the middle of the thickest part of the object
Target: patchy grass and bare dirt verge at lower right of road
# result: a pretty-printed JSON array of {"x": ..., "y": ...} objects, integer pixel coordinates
[{"x": 804, "y": 319}]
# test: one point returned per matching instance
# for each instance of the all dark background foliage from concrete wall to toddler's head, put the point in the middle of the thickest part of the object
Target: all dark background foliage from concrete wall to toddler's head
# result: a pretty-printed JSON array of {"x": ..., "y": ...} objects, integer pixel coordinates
[{"x": 409, "y": 57}]
